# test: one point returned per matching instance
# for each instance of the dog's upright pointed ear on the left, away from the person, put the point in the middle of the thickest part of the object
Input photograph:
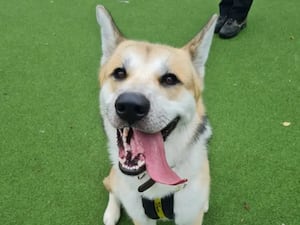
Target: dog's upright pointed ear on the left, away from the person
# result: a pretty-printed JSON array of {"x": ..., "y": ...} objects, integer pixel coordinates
[{"x": 110, "y": 34}]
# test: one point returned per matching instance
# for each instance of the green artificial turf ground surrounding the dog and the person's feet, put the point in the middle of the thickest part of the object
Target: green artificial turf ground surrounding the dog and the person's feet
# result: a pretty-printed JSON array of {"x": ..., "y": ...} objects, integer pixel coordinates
[{"x": 52, "y": 146}]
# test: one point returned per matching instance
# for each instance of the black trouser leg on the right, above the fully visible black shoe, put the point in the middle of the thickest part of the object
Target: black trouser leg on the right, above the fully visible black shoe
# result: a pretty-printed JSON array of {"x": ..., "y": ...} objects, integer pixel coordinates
[{"x": 240, "y": 9}]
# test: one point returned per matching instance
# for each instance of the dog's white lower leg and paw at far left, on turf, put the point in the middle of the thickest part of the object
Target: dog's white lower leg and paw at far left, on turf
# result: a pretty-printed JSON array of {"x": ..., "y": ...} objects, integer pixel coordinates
[{"x": 112, "y": 211}]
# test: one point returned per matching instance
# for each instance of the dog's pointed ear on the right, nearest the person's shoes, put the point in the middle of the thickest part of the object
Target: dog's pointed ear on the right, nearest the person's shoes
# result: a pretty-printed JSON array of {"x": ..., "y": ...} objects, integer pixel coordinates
[{"x": 199, "y": 46}]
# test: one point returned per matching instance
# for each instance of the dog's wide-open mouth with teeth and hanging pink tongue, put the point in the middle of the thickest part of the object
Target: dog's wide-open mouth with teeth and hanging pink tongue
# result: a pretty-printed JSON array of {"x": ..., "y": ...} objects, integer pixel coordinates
[{"x": 140, "y": 151}]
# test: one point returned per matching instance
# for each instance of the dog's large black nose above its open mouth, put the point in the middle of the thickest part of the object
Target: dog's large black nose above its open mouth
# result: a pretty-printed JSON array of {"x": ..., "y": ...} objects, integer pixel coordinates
[{"x": 132, "y": 107}]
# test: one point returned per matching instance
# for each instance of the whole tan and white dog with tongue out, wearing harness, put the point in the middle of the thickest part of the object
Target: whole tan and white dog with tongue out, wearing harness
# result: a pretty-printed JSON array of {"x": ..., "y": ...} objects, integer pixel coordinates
[{"x": 155, "y": 121}]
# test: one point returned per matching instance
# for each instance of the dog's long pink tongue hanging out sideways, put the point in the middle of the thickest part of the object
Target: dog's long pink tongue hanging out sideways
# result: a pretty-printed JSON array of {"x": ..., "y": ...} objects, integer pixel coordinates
[{"x": 156, "y": 164}]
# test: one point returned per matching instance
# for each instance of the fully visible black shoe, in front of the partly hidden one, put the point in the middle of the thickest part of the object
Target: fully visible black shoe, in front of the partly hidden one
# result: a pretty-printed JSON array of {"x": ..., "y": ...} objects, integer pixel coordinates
[{"x": 231, "y": 28}]
